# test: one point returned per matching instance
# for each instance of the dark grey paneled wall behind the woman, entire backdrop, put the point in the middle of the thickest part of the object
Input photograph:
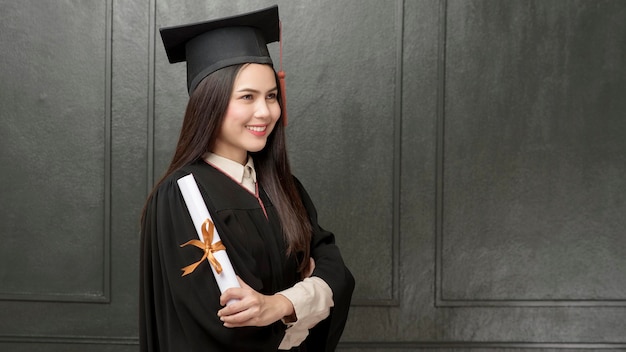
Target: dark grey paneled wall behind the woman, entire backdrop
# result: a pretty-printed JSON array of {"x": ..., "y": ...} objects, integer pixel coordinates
[{"x": 468, "y": 154}]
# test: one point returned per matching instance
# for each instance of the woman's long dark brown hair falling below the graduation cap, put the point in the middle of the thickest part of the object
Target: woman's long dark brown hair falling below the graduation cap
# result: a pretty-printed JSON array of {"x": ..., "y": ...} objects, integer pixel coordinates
[{"x": 201, "y": 126}]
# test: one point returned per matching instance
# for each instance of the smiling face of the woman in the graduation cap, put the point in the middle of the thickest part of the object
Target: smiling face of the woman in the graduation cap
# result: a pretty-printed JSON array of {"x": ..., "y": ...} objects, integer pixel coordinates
[{"x": 251, "y": 115}]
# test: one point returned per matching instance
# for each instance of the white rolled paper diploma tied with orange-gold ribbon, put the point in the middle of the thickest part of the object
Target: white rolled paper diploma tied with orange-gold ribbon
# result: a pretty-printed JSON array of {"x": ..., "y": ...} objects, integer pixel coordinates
[{"x": 199, "y": 213}]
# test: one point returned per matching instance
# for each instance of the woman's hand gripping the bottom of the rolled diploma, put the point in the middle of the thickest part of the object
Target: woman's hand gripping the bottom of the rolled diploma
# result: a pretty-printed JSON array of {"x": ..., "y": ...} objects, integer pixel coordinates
[{"x": 252, "y": 308}]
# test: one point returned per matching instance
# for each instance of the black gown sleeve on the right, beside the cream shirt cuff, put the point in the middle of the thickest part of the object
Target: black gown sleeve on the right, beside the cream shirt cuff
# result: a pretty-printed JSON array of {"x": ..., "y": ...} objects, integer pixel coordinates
[{"x": 329, "y": 266}]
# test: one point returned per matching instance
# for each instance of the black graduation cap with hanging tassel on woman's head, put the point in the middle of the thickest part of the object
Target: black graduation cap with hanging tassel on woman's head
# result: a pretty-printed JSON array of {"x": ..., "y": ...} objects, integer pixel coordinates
[{"x": 212, "y": 45}]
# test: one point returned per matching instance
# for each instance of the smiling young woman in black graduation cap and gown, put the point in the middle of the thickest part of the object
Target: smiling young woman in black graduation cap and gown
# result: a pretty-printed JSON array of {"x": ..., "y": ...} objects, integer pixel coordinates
[{"x": 295, "y": 289}]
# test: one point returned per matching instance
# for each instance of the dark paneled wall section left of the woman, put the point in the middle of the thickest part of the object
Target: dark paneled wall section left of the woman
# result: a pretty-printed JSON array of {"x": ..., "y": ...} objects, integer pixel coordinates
[{"x": 73, "y": 108}]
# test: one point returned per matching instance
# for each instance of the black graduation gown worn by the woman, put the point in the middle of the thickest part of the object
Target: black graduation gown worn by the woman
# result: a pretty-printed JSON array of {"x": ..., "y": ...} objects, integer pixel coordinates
[{"x": 180, "y": 313}]
